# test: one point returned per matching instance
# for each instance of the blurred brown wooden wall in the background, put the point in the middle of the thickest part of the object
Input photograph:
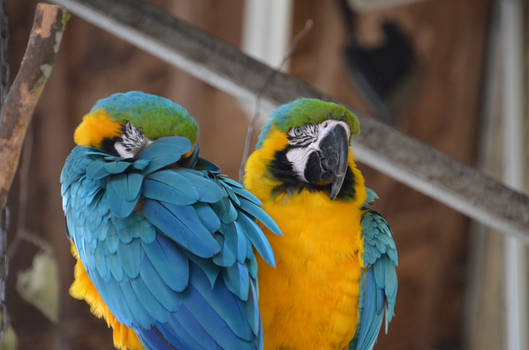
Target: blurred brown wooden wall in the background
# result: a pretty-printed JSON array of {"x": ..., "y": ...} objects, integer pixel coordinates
[{"x": 449, "y": 37}]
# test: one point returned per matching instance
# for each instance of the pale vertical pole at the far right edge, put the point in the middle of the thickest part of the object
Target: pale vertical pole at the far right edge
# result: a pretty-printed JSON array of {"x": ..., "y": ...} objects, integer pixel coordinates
[{"x": 513, "y": 174}]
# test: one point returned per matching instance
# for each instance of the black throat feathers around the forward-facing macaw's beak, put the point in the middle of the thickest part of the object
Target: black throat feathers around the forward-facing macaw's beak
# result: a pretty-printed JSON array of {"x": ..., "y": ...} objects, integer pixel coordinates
[{"x": 281, "y": 169}]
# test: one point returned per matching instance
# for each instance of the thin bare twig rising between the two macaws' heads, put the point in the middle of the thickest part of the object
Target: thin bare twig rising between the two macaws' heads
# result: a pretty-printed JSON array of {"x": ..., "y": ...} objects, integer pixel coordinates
[{"x": 266, "y": 85}]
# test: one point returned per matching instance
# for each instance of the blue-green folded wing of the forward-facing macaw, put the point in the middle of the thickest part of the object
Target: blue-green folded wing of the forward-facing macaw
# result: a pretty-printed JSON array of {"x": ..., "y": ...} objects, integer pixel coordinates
[{"x": 378, "y": 285}]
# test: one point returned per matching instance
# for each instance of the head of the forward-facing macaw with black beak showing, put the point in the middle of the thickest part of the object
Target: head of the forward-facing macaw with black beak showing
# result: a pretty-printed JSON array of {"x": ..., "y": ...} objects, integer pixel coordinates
[{"x": 305, "y": 145}]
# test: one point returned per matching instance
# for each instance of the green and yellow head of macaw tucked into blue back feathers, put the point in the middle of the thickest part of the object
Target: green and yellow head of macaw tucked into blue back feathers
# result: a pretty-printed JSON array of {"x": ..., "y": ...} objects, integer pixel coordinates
[{"x": 125, "y": 123}]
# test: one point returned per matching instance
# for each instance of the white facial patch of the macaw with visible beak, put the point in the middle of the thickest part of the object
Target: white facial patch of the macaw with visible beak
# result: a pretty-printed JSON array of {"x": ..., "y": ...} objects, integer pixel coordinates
[{"x": 310, "y": 136}]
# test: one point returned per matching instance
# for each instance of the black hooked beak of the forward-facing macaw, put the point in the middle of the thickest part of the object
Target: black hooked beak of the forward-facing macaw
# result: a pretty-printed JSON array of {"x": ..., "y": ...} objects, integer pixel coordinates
[{"x": 329, "y": 164}]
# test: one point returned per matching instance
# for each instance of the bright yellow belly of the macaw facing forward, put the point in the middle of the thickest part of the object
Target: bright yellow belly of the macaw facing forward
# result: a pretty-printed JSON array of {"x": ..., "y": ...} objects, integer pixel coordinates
[{"x": 310, "y": 301}]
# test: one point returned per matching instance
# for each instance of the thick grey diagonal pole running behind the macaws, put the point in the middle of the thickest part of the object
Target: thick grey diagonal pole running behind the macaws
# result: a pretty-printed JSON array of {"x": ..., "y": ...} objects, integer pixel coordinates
[{"x": 380, "y": 146}]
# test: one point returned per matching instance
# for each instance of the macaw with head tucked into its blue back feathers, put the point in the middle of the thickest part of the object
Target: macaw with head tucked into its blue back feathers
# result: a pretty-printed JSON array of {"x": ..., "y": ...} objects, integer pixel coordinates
[{"x": 164, "y": 242}]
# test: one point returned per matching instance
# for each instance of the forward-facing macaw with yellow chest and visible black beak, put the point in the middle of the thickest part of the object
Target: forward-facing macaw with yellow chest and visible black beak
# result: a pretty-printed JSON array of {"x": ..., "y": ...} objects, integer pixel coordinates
[{"x": 335, "y": 275}]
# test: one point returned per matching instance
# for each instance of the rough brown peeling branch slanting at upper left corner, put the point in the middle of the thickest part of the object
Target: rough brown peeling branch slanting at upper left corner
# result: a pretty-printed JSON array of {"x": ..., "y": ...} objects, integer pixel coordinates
[{"x": 44, "y": 41}]
